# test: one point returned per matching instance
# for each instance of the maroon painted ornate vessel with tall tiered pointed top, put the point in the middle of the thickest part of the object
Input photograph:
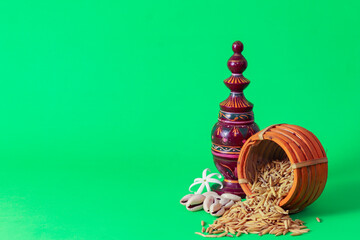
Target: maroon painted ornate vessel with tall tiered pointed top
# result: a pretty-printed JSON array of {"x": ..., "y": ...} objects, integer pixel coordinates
[{"x": 235, "y": 124}]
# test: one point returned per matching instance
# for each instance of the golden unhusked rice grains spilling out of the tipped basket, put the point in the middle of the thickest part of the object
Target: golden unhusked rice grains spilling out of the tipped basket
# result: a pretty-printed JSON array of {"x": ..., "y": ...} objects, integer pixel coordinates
[{"x": 260, "y": 213}]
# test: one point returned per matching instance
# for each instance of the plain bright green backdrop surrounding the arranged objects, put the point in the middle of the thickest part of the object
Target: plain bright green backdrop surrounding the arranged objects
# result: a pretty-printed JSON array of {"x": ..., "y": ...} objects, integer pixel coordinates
[{"x": 107, "y": 107}]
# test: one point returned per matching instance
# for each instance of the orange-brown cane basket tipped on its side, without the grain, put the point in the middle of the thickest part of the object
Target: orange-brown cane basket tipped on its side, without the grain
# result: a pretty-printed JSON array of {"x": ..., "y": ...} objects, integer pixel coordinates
[{"x": 304, "y": 151}]
